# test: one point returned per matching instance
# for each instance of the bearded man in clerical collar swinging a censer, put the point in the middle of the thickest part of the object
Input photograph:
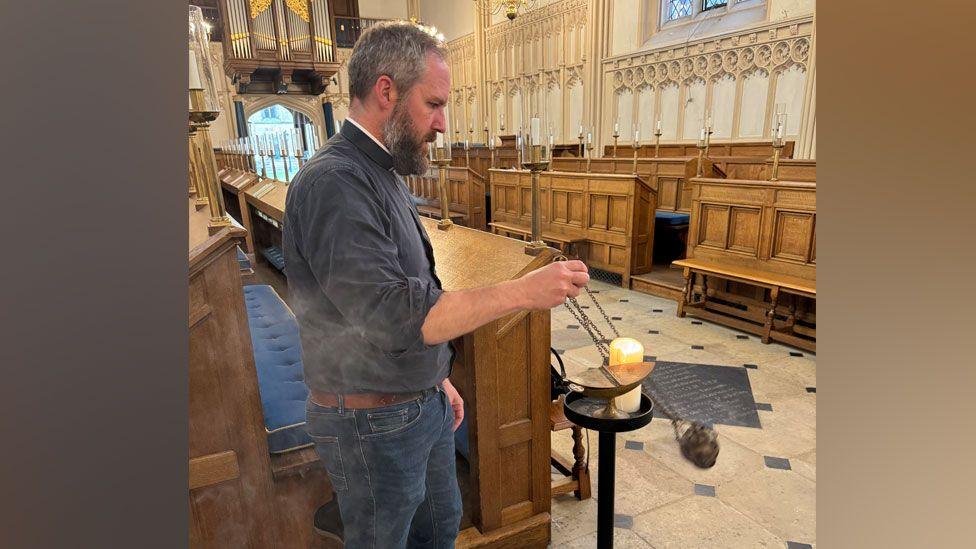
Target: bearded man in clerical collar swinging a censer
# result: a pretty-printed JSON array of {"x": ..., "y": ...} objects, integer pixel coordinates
[{"x": 375, "y": 322}]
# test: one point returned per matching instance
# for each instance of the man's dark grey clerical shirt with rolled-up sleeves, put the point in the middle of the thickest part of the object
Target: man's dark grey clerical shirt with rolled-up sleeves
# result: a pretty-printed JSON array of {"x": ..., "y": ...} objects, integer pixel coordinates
[{"x": 360, "y": 272}]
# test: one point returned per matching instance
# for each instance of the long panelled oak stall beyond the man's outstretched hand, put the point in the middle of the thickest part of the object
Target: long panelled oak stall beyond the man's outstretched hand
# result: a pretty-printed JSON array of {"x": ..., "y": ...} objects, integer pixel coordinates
[{"x": 613, "y": 214}]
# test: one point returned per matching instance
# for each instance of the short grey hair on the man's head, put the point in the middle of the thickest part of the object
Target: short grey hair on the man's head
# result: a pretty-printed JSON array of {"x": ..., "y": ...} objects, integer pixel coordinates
[{"x": 397, "y": 49}]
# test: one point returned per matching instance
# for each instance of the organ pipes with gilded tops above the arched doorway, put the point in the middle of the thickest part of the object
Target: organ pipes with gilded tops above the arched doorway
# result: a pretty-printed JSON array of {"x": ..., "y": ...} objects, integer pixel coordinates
[{"x": 283, "y": 30}]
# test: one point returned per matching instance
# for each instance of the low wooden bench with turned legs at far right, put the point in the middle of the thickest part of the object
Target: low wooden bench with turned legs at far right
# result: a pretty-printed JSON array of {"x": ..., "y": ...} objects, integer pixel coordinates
[{"x": 695, "y": 304}]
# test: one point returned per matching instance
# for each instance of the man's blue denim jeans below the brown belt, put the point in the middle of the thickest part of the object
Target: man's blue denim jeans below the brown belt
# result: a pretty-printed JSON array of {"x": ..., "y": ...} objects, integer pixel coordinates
[{"x": 393, "y": 471}]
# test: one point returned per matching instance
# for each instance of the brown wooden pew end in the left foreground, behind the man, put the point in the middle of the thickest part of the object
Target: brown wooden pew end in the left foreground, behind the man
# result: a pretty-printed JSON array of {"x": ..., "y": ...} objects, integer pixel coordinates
[{"x": 239, "y": 494}]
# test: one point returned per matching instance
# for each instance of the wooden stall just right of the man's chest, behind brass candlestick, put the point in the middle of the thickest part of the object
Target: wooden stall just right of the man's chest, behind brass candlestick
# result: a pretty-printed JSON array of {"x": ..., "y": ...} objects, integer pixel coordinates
[{"x": 467, "y": 190}]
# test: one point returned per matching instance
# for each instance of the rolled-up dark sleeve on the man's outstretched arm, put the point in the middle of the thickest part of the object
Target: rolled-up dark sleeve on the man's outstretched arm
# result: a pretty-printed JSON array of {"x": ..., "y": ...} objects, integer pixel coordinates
[{"x": 355, "y": 262}]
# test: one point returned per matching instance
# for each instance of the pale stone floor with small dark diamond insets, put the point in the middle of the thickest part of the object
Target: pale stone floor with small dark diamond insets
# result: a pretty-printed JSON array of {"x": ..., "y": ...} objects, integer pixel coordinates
[{"x": 761, "y": 491}]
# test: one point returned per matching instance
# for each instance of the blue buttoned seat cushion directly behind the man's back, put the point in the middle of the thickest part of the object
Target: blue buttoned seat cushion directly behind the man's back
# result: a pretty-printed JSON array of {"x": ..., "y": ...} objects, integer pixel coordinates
[{"x": 278, "y": 359}]
